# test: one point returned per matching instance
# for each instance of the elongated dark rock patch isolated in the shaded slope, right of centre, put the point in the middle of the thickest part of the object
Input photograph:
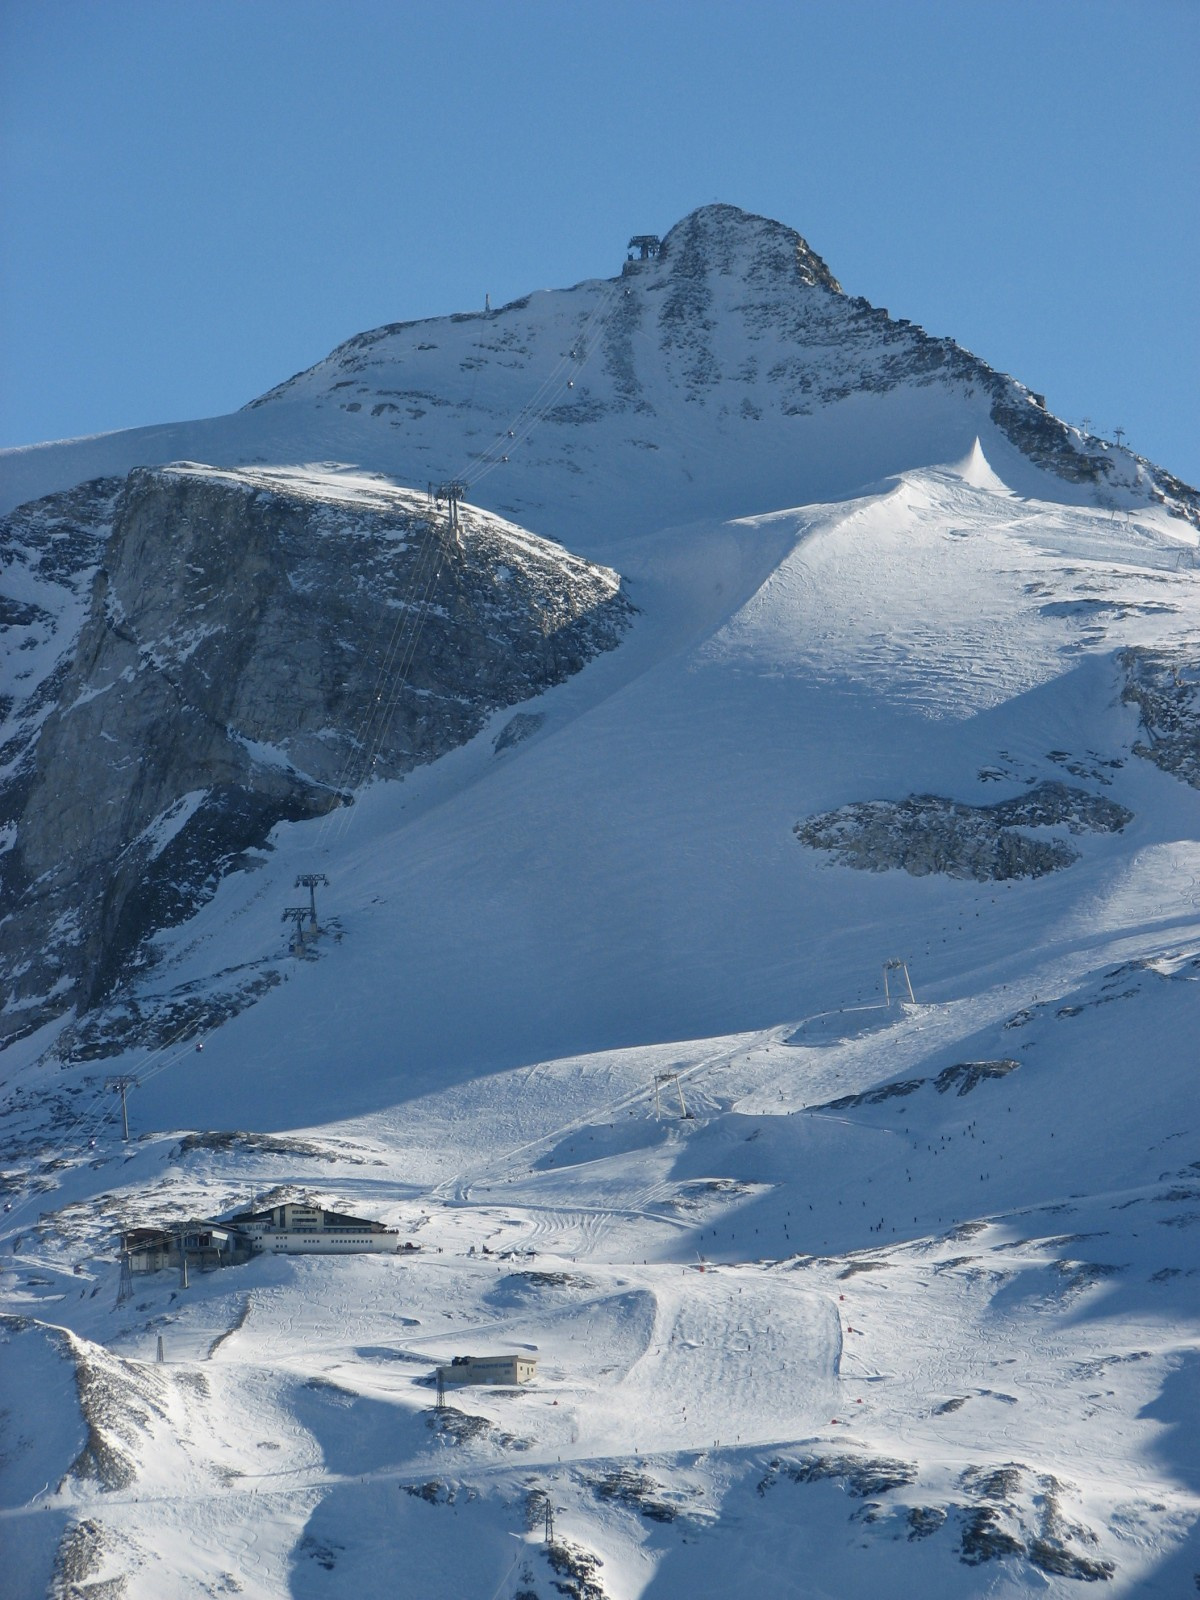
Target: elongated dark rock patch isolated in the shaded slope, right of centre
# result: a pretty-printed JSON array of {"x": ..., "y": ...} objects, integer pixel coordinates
[{"x": 930, "y": 834}]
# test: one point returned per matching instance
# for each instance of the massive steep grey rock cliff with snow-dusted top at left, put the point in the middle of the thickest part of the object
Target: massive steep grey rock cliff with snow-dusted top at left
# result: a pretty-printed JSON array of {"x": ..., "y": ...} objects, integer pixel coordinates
[{"x": 255, "y": 649}]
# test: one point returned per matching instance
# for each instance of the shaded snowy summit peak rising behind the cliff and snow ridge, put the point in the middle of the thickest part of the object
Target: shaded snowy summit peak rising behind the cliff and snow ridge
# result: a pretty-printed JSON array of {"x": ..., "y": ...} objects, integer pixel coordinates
[{"x": 722, "y": 375}]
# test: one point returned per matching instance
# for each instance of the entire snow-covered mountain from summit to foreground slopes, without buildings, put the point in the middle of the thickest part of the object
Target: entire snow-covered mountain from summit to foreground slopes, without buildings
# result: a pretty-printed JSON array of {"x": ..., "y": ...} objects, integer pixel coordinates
[{"x": 770, "y": 902}]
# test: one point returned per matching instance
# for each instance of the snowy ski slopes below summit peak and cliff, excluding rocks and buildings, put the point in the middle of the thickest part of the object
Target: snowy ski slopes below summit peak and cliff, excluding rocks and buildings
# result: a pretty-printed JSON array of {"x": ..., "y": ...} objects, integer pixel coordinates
[{"x": 844, "y": 1353}]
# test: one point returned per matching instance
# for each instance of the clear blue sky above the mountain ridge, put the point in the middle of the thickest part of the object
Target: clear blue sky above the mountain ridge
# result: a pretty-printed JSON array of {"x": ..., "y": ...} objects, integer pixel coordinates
[{"x": 206, "y": 196}]
